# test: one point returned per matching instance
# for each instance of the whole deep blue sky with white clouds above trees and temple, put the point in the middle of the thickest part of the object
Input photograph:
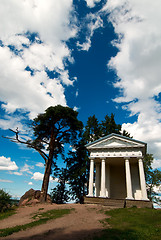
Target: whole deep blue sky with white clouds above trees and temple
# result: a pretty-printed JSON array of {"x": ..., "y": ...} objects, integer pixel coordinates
[{"x": 95, "y": 56}]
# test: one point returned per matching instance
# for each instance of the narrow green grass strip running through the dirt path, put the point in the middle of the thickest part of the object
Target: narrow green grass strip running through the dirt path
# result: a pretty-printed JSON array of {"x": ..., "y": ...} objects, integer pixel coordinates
[{"x": 41, "y": 219}]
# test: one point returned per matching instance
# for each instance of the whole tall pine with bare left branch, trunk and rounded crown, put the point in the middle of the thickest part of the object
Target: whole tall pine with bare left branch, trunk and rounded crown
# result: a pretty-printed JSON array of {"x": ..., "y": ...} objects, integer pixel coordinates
[{"x": 54, "y": 128}]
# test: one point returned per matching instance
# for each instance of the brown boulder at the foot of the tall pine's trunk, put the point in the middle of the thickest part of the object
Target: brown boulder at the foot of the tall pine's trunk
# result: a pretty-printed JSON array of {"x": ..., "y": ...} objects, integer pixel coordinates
[{"x": 32, "y": 197}]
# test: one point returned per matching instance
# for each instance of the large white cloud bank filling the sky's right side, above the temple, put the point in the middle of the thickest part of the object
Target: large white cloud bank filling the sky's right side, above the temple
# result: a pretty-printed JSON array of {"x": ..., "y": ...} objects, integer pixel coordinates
[{"x": 137, "y": 65}]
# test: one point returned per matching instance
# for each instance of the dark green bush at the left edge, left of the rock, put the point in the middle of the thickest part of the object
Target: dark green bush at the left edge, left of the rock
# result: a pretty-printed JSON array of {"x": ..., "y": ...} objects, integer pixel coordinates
[{"x": 5, "y": 201}]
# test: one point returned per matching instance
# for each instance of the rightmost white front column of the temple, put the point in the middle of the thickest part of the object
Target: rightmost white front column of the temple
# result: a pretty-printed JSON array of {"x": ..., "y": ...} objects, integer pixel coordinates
[{"x": 142, "y": 180}]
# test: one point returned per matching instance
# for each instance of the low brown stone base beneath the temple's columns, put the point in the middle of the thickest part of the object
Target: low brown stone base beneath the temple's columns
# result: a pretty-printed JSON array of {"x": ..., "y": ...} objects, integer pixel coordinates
[{"x": 118, "y": 203}]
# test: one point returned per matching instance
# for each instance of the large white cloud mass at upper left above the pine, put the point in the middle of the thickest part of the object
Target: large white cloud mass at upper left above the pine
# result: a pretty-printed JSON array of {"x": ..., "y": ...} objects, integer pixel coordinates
[{"x": 32, "y": 44}]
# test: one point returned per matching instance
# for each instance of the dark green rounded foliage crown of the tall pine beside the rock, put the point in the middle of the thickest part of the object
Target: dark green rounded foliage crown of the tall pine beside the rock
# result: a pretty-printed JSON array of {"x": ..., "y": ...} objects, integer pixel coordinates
[{"x": 54, "y": 128}]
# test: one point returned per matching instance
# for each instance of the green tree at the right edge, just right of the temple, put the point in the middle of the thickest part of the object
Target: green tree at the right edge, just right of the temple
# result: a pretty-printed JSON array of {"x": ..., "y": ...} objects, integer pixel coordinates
[{"x": 152, "y": 176}]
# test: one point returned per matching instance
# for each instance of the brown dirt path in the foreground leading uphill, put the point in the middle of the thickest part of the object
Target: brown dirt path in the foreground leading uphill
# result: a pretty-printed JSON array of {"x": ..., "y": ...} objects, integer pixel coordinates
[{"x": 82, "y": 223}]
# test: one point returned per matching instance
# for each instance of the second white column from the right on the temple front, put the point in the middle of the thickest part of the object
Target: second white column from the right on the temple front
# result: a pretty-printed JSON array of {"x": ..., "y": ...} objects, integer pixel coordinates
[{"x": 128, "y": 180}]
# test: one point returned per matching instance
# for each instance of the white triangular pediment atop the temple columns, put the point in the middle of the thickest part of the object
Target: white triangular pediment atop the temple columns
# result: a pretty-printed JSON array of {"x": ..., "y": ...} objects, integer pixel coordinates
[{"x": 115, "y": 141}]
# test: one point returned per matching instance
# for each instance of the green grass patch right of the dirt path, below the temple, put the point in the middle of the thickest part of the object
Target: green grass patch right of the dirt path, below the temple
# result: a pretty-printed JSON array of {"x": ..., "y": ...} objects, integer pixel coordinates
[{"x": 133, "y": 224}]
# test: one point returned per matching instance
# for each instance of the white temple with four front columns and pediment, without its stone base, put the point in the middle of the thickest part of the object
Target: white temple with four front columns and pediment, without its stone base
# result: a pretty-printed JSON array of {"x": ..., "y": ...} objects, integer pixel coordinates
[{"x": 116, "y": 168}]
